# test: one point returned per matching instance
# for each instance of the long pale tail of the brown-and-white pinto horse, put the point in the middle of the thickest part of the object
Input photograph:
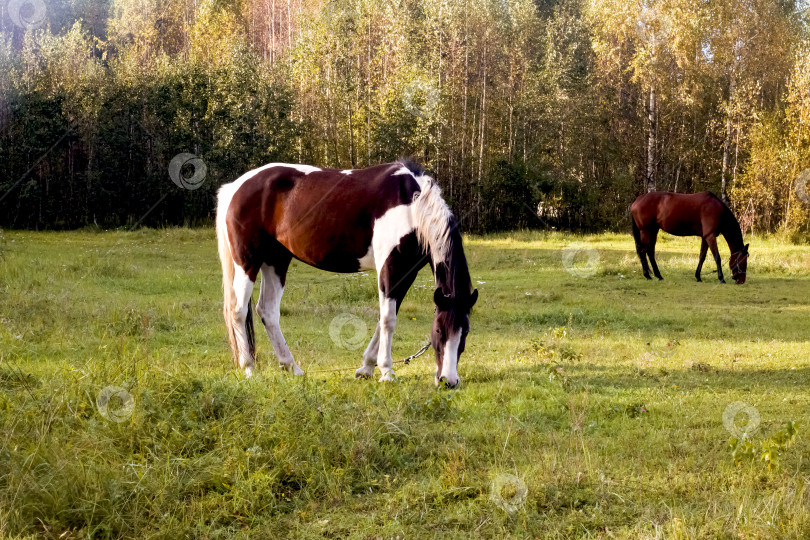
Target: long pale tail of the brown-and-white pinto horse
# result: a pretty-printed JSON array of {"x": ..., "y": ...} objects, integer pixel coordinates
[{"x": 228, "y": 270}]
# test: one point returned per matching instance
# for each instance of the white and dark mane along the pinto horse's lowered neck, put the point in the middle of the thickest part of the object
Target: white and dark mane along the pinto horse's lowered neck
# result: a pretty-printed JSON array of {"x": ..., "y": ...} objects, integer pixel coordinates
[{"x": 437, "y": 231}]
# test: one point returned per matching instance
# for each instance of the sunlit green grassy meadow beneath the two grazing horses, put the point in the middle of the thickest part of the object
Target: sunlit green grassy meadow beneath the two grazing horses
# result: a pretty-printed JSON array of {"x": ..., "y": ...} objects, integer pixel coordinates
[{"x": 591, "y": 405}]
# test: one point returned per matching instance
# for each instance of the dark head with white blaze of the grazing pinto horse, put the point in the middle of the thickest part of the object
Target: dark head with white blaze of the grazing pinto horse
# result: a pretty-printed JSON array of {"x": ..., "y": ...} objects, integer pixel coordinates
[{"x": 450, "y": 327}]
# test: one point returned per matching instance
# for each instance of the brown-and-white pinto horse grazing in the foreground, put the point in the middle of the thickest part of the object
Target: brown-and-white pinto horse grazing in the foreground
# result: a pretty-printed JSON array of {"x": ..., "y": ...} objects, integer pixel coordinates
[{"x": 390, "y": 218}]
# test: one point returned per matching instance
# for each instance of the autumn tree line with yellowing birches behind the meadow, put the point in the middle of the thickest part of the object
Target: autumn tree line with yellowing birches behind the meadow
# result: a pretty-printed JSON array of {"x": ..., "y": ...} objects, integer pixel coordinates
[{"x": 530, "y": 113}]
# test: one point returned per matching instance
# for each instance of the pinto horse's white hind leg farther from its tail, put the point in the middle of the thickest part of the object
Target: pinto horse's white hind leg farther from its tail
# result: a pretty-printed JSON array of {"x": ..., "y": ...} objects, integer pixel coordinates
[{"x": 269, "y": 309}]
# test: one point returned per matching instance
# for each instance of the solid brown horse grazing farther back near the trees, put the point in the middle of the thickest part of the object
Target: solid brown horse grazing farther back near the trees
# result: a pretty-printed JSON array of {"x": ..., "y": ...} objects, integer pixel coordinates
[{"x": 681, "y": 214}]
